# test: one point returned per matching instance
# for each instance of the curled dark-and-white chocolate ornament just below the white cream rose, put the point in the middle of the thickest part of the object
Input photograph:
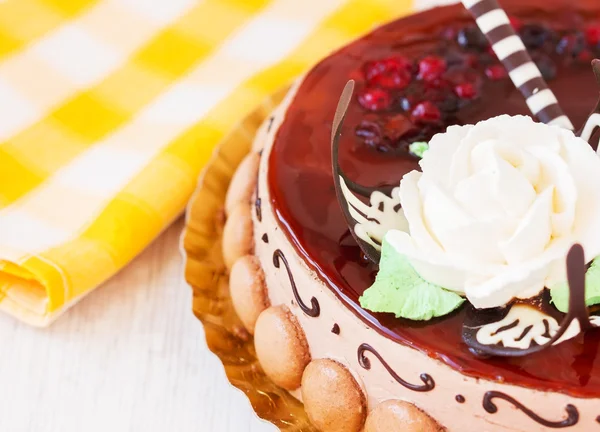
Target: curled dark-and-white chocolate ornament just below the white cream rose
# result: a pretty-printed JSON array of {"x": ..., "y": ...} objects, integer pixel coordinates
[{"x": 476, "y": 319}]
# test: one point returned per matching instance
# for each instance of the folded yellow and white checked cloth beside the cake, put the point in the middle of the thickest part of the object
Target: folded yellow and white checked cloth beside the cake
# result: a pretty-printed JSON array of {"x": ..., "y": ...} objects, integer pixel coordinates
[{"x": 110, "y": 108}]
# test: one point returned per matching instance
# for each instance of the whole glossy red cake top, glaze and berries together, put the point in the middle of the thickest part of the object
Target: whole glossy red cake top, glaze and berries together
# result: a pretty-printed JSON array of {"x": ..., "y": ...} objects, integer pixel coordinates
[{"x": 414, "y": 78}]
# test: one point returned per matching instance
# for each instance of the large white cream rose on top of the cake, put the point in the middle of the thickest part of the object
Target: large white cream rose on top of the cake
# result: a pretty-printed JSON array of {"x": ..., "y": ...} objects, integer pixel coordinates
[{"x": 497, "y": 206}]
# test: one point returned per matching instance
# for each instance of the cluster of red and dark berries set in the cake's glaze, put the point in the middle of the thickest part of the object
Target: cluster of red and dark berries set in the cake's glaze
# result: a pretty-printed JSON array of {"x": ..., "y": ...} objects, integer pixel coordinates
[{"x": 431, "y": 87}]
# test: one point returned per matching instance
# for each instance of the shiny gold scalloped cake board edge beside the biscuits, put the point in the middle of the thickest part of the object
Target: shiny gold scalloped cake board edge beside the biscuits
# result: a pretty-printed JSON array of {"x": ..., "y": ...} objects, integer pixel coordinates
[{"x": 206, "y": 274}]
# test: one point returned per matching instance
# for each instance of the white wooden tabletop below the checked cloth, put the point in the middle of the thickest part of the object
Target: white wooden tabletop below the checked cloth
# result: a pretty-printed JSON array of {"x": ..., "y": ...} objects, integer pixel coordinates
[{"x": 129, "y": 357}]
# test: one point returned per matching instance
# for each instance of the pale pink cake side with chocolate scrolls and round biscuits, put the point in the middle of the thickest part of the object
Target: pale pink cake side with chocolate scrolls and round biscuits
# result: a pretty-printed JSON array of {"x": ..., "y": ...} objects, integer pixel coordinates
[{"x": 304, "y": 334}]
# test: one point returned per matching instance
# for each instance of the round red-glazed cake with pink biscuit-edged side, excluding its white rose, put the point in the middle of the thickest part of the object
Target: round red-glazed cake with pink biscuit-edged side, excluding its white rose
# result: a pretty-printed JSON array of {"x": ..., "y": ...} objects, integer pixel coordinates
[{"x": 300, "y": 280}]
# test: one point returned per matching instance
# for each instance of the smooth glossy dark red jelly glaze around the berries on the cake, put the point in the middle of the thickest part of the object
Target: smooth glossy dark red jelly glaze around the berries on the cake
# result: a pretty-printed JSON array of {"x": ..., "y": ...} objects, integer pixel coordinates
[{"x": 303, "y": 195}]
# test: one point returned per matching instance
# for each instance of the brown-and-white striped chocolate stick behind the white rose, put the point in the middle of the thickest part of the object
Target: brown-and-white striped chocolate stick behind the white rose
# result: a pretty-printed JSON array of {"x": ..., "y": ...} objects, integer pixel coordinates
[{"x": 510, "y": 50}]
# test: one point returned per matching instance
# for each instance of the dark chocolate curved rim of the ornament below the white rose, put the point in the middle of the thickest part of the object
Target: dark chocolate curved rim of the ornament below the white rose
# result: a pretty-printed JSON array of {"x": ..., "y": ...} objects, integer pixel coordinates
[{"x": 578, "y": 310}]
